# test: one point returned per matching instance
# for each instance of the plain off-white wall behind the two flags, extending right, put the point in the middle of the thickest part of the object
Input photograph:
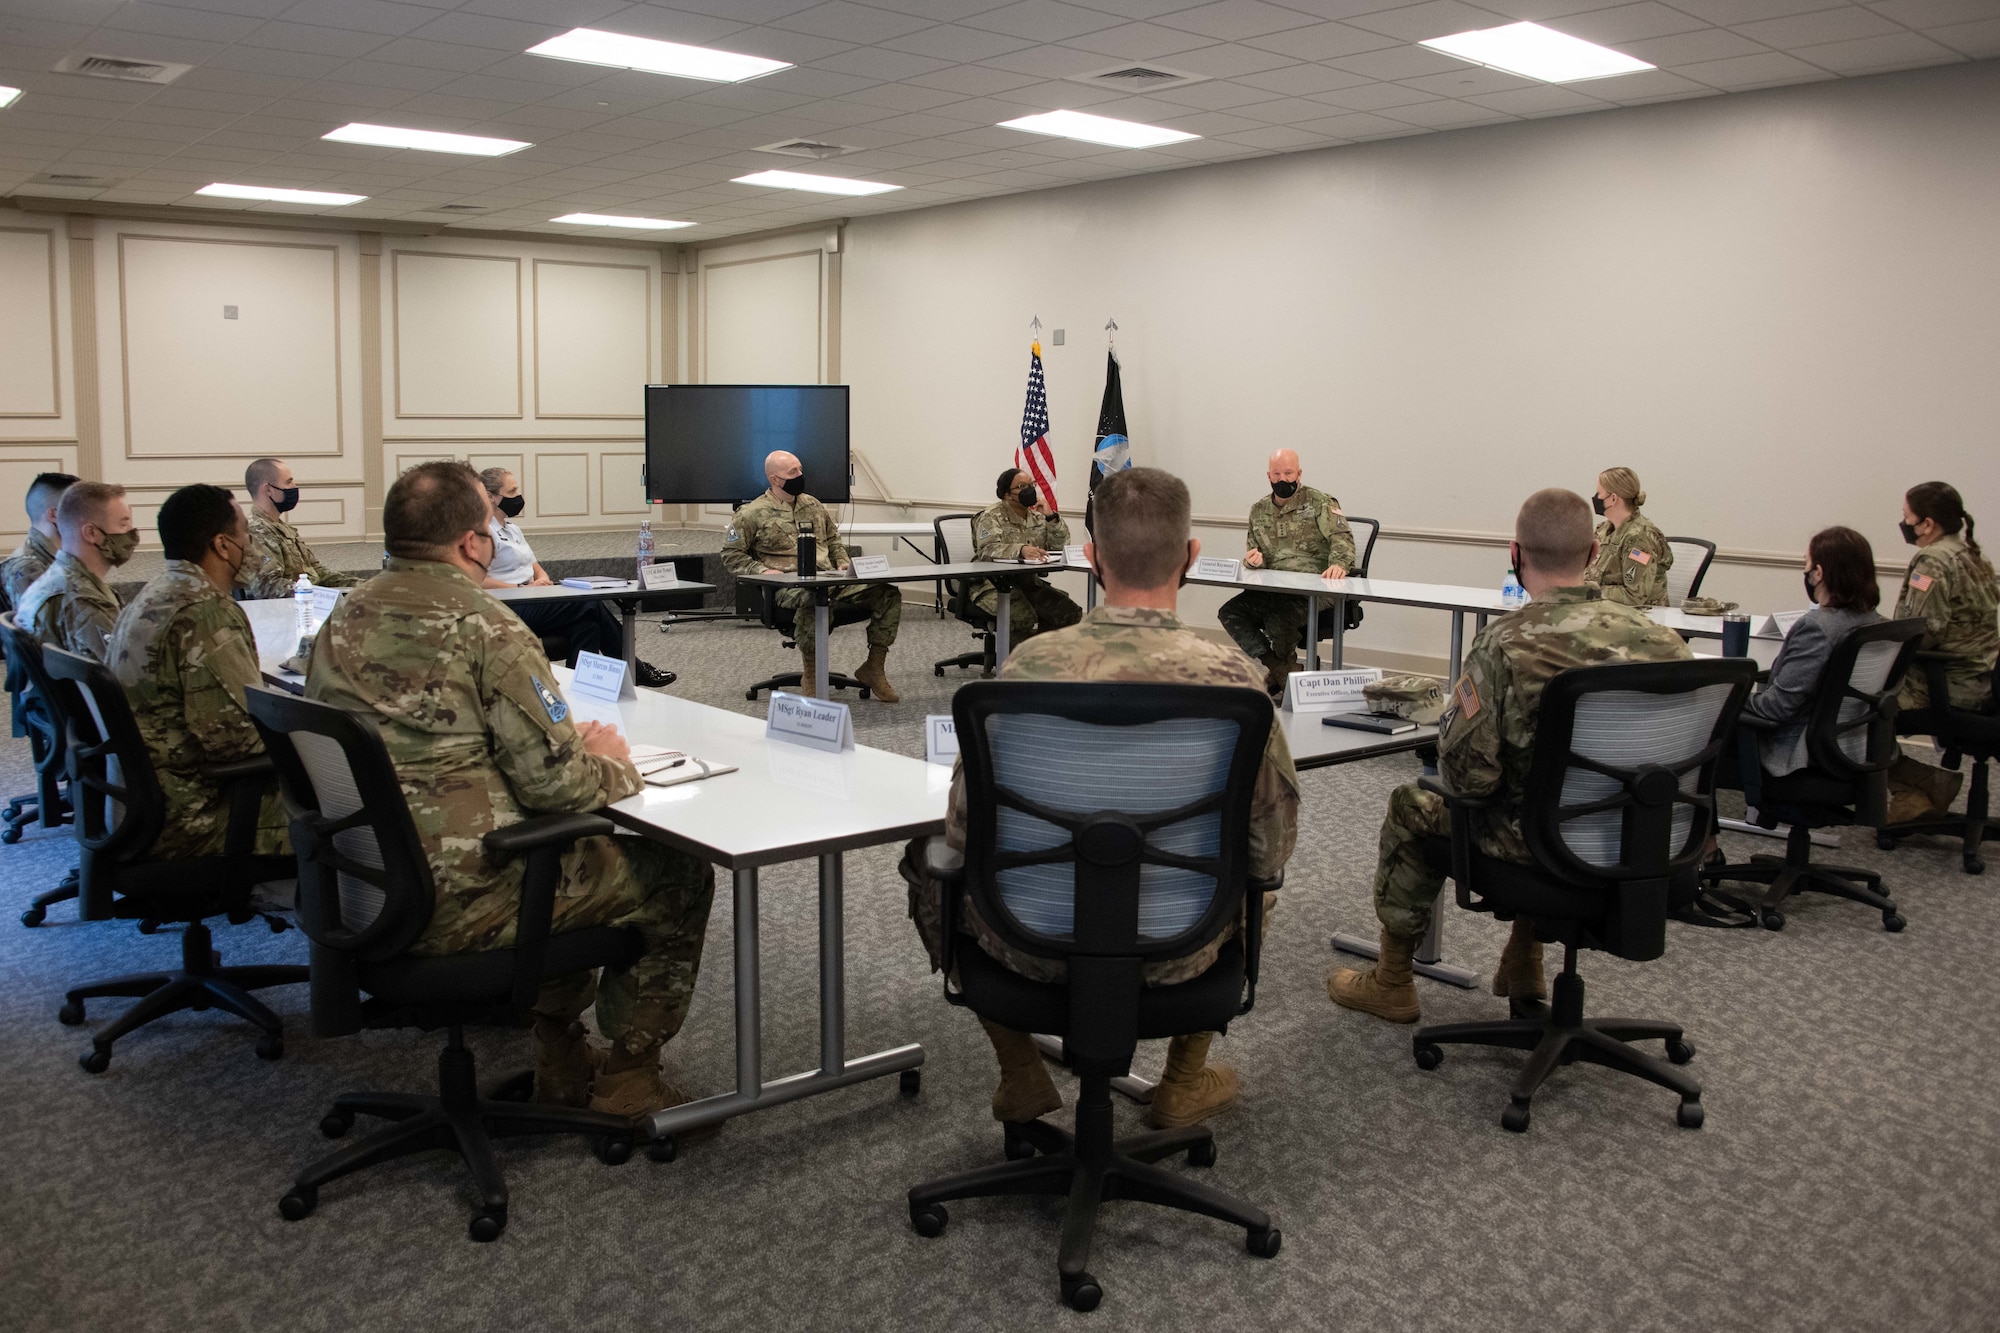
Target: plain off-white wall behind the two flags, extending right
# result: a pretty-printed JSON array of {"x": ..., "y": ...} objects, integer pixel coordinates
[{"x": 1783, "y": 309}]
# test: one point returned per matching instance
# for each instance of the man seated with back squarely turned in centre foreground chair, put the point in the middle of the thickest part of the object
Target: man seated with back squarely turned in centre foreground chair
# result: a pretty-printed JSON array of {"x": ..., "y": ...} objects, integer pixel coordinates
[{"x": 1143, "y": 547}]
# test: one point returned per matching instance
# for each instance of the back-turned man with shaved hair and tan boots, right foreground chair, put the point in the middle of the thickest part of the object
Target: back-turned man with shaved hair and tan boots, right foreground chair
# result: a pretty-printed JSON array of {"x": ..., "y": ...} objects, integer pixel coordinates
[{"x": 1487, "y": 744}]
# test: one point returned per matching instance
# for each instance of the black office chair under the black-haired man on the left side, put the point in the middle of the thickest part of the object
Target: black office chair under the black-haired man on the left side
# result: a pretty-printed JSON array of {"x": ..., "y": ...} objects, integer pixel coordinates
[{"x": 119, "y": 818}]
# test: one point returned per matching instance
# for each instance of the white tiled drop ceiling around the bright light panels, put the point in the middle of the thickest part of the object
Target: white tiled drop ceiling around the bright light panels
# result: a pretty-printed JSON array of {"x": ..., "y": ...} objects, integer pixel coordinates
[{"x": 909, "y": 89}]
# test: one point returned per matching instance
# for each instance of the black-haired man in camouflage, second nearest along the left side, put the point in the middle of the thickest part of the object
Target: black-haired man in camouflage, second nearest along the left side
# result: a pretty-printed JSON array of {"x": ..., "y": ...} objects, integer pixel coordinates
[{"x": 185, "y": 655}]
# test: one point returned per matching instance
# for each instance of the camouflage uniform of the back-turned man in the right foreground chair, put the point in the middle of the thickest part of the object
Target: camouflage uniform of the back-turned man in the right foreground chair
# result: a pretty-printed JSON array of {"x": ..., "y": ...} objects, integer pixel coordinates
[{"x": 1487, "y": 736}]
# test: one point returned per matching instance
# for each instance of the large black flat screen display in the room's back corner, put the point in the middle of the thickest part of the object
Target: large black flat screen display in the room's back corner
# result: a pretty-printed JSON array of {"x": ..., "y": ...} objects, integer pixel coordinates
[{"x": 707, "y": 443}]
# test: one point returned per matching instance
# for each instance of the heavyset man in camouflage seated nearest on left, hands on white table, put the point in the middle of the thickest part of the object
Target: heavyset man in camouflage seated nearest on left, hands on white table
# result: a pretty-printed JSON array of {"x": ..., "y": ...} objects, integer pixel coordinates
[{"x": 483, "y": 740}]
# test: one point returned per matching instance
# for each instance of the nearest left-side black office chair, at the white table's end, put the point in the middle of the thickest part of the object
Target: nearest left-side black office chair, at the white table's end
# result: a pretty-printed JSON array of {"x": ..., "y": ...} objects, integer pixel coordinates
[{"x": 365, "y": 896}]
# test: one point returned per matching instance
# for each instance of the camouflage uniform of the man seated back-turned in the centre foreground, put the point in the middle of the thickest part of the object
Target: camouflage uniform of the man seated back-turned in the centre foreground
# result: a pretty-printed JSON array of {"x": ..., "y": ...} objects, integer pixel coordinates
[{"x": 1123, "y": 643}]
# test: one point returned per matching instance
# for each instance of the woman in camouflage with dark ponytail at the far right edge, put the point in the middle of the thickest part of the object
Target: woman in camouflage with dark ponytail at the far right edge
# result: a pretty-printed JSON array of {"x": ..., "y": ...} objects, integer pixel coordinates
[{"x": 1951, "y": 587}]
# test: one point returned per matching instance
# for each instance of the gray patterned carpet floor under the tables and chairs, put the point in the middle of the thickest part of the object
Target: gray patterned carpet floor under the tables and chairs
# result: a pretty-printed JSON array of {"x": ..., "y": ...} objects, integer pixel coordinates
[{"x": 1849, "y": 1174}]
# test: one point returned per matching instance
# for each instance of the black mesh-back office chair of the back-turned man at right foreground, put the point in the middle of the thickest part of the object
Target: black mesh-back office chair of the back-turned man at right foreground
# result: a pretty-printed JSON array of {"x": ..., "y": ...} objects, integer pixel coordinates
[{"x": 1629, "y": 754}]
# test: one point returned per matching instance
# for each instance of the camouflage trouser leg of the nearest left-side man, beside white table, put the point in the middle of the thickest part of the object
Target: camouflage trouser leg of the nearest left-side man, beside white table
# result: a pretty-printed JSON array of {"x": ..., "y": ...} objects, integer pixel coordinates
[{"x": 661, "y": 894}]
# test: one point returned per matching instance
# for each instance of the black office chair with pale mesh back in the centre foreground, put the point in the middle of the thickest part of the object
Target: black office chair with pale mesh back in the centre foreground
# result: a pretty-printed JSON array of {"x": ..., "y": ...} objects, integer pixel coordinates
[{"x": 1059, "y": 876}]
